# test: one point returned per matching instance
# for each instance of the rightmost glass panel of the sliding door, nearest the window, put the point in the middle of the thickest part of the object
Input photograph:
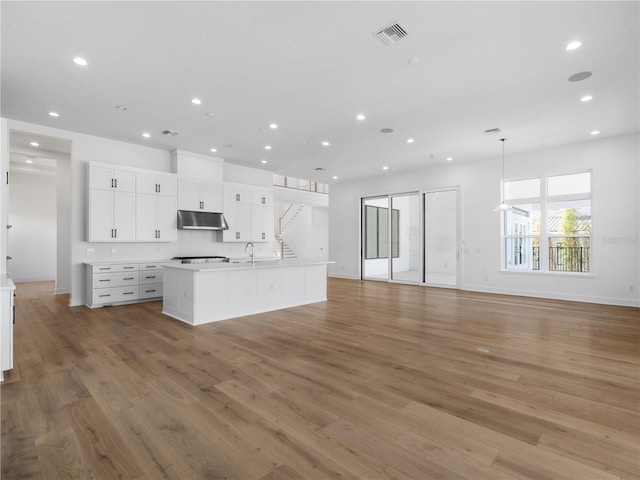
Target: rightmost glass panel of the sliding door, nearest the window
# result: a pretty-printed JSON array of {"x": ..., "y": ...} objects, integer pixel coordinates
[{"x": 441, "y": 237}]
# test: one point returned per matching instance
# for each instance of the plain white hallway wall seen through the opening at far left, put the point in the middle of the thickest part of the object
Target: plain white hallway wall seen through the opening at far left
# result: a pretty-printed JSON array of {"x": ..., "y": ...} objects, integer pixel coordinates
[{"x": 32, "y": 208}]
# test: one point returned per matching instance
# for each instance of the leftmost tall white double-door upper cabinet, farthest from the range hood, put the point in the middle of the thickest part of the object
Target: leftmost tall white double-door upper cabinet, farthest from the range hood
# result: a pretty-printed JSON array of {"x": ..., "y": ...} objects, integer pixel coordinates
[{"x": 111, "y": 216}]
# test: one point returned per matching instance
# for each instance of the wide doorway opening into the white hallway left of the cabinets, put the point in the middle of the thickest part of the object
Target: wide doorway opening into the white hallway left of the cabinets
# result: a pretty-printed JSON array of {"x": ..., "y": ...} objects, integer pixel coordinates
[{"x": 38, "y": 239}]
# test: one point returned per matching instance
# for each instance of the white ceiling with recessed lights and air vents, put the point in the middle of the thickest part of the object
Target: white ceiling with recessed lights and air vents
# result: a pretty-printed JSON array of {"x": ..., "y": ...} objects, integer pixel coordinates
[{"x": 311, "y": 67}]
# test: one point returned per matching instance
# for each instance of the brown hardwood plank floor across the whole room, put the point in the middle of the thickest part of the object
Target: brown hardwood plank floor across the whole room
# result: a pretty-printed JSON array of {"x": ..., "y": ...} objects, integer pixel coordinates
[{"x": 381, "y": 381}]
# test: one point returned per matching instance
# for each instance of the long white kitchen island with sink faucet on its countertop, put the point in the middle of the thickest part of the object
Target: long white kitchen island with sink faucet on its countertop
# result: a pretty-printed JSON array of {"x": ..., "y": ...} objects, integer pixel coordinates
[{"x": 204, "y": 293}]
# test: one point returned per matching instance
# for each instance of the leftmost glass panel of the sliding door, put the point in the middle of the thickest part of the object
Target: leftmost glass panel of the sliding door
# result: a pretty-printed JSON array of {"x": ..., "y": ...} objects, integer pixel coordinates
[{"x": 375, "y": 242}]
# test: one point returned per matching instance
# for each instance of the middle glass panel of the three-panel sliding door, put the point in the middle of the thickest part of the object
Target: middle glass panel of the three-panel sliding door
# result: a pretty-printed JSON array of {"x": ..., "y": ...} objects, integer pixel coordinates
[{"x": 405, "y": 238}]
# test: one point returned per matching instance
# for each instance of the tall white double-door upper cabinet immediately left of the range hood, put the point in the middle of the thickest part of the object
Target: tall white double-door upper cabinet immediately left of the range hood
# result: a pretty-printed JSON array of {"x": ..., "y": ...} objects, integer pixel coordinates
[{"x": 156, "y": 218}]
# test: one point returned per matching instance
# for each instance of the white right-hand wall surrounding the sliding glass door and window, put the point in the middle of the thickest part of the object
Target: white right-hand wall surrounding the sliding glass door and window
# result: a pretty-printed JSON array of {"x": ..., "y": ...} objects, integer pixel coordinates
[{"x": 616, "y": 214}]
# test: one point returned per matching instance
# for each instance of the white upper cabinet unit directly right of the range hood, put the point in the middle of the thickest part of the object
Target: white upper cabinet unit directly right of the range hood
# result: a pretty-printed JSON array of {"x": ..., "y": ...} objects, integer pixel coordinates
[{"x": 249, "y": 212}]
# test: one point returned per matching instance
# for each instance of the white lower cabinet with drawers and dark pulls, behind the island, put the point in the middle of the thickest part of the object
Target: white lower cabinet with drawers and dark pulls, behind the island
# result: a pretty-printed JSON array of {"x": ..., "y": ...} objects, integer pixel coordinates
[{"x": 121, "y": 283}]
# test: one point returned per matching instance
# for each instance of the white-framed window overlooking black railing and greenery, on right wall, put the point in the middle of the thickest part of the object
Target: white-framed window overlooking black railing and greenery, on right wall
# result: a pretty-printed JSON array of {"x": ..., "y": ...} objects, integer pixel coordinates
[{"x": 549, "y": 226}]
